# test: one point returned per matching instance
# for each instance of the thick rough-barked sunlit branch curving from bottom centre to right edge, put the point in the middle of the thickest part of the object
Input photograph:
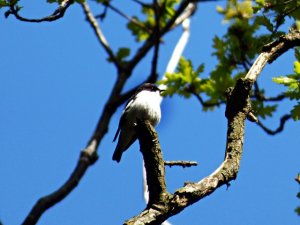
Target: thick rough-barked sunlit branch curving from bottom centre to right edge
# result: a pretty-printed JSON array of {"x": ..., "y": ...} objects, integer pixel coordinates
[{"x": 237, "y": 109}]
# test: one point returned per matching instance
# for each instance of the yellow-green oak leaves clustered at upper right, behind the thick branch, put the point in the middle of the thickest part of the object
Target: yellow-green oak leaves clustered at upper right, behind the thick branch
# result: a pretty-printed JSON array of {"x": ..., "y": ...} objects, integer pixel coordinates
[{"x": 250, "y": 26}]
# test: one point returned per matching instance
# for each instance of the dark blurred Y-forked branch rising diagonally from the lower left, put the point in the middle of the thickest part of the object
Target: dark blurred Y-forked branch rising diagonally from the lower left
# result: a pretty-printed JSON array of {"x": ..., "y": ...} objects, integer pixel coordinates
[{"x": 89, "y": 154}]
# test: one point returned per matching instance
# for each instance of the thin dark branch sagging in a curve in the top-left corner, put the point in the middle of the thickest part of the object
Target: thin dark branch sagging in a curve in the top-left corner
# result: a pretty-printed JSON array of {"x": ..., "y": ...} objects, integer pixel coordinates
[{"x": 57, "y": 14}]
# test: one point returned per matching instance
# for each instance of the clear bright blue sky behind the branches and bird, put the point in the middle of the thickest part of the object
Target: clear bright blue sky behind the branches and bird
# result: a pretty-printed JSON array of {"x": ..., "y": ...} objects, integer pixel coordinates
[{"x": 53, "y": 84}]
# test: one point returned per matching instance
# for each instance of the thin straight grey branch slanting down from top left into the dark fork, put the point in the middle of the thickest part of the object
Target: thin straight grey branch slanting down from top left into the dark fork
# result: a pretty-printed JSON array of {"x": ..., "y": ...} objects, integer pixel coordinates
[{"x": 101, "y": 38}]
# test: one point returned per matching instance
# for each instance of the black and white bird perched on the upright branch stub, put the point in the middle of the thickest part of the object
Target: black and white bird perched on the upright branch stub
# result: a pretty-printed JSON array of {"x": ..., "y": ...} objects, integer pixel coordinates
[{"x": 143, "y": 105}]
